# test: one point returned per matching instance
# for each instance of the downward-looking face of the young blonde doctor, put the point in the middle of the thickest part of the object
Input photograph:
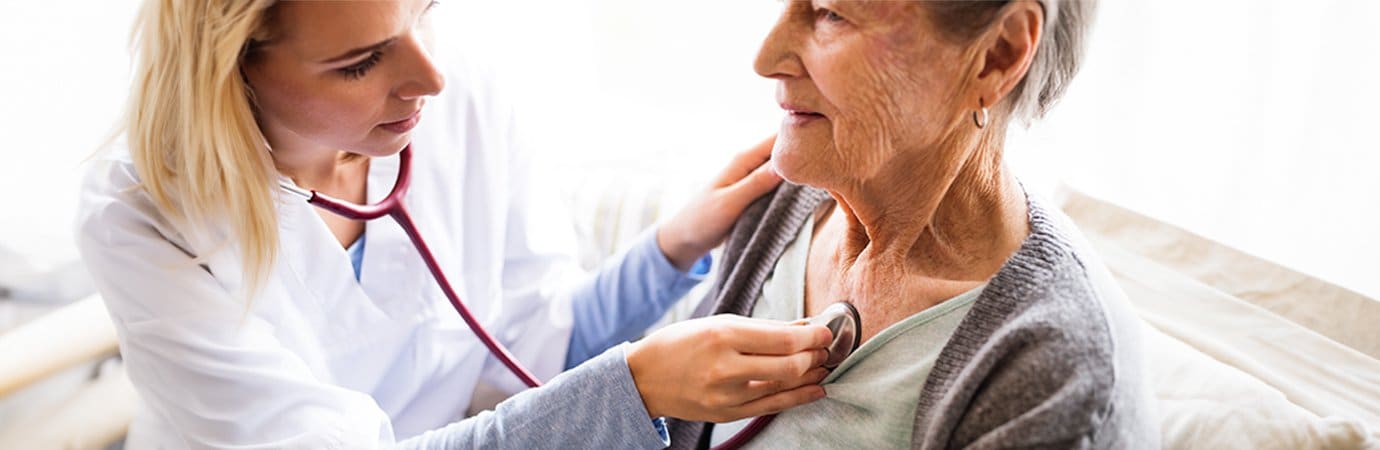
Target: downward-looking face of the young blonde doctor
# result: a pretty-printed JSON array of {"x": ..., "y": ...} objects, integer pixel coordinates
[{"x": 343, "y": 77}]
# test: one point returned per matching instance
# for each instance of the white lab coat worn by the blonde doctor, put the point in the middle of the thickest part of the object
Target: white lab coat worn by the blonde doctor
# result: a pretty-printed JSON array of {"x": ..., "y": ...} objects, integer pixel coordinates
[{"x": 321, "y": 360}]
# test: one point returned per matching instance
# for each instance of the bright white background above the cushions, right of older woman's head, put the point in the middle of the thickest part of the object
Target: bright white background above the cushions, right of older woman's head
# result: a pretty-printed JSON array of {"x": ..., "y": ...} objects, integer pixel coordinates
[{"x": 1250, "y": 122}]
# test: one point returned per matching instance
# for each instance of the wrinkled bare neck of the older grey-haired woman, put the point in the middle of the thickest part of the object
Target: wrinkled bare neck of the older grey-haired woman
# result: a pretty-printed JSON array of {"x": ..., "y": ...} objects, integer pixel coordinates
[{"x": 958, "y": 222}]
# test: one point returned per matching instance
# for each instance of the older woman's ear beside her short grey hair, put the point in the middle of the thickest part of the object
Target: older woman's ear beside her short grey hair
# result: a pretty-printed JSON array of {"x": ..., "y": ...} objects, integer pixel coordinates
[{"x": 1009, "y": 50}]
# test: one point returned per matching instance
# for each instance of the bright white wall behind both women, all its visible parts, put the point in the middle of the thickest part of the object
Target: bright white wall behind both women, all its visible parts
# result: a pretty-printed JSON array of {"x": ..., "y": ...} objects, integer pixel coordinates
[{"x": 1250, "y": 122}]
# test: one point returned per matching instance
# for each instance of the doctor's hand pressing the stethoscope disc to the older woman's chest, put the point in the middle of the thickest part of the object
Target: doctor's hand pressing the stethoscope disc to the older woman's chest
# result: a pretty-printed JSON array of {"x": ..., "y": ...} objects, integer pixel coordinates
[{"x": 728, "y": 368}]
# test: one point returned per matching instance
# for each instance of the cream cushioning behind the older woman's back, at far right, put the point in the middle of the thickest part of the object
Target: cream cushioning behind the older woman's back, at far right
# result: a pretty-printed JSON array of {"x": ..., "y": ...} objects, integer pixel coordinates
[{"x": 1233, "y": 372}]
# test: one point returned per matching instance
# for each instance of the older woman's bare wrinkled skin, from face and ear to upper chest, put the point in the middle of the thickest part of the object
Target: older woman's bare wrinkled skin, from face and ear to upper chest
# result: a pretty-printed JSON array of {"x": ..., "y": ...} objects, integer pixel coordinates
[{"x": 880, "y": 114}]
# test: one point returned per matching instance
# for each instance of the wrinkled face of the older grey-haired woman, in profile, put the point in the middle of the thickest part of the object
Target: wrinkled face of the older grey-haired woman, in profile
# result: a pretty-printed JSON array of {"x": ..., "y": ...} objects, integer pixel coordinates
[{"x": 862, "y": 82}]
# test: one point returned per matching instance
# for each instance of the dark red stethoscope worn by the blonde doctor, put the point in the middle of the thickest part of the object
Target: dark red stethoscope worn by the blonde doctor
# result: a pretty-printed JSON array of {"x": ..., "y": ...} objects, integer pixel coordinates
[{"x": 841, "y": 318}]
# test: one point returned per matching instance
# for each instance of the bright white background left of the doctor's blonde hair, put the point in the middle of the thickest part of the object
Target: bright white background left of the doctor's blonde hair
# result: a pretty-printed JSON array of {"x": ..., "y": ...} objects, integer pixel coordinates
[{"x": 64, "y": 72}]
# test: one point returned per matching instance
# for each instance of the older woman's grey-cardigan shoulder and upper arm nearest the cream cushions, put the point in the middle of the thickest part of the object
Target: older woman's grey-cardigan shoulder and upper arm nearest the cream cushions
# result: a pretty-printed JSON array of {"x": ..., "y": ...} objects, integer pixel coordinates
[{"x": 1048, "y": 350}]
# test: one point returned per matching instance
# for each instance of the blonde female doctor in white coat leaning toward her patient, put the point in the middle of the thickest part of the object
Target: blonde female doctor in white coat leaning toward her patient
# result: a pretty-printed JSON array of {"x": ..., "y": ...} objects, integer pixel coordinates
[{"x": 250, "y": 320}]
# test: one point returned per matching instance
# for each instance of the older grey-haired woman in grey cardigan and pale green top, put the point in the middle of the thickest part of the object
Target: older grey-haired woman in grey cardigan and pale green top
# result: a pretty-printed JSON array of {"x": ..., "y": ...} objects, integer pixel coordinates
[{"x": 985, "y": 322}]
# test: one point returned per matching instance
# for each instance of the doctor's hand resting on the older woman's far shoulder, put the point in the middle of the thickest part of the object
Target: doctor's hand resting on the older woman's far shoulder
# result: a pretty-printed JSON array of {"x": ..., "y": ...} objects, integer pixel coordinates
[{"x": 703, "y": 224}]
